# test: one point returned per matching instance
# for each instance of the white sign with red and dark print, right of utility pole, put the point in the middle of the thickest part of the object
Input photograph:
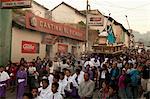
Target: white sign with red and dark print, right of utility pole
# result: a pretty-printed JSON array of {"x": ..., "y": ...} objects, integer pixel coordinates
[{"x": 95, "y": 20}]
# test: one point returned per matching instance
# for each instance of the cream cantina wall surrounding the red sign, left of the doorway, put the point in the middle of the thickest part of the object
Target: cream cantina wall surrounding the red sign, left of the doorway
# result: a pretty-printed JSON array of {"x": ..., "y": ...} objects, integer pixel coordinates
[{"x": 19, "y": 35}]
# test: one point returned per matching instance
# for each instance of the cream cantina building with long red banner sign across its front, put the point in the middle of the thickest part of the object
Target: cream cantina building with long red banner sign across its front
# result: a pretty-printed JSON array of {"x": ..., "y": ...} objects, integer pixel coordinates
[{"x": 33, "y": 34}]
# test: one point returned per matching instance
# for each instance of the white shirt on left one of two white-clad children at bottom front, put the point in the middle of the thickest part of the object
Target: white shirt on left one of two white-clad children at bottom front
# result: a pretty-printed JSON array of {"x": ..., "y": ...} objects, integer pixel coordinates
[{"x": 45, "y": 93}]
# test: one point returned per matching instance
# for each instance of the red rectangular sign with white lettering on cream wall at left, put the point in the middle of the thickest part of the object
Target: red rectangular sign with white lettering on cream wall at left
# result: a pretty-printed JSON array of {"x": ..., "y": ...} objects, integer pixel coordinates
[{"x": 30, "y": 47}]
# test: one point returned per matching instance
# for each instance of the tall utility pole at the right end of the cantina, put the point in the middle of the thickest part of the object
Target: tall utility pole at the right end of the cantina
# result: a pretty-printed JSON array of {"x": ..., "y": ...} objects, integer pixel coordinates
[{"x": 86, "y": 43}]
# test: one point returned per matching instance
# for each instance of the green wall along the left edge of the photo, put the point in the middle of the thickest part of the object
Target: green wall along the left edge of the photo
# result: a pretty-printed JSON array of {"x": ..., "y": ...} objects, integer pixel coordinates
[{"x": 5, "y": 35}]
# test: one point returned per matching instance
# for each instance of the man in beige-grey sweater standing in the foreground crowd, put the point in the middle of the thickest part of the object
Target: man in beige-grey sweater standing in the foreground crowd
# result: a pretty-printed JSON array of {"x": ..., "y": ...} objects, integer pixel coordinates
[{"x": 86, "y": 88}]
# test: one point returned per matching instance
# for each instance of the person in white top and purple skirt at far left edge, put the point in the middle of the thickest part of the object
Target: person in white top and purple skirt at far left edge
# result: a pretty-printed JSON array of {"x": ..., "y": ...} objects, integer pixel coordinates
[{"x": 4, "y": 77}]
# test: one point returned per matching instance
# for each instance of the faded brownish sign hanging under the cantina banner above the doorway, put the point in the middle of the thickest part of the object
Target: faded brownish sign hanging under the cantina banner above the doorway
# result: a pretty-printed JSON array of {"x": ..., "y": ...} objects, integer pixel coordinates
[{"x": 49, "y": 39}]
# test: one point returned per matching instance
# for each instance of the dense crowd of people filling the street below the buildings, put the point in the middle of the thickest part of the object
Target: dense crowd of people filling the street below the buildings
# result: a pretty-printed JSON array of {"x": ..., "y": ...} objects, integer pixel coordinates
[{"x": 125, "y": 76}]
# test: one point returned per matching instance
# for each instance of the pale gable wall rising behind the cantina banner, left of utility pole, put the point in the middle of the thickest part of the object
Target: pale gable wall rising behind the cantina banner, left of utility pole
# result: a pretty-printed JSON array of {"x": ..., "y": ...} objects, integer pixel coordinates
[{"x": 65, "y": 14}]
